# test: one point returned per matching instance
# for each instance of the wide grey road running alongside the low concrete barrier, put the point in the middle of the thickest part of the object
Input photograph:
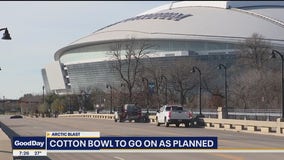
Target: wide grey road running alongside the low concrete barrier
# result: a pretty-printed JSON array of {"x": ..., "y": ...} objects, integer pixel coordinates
[{"x": 226, "y": 140}]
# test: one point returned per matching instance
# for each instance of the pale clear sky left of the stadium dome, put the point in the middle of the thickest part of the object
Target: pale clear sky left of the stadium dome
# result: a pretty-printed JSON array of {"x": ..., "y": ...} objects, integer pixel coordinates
[{"x": 40, "y": 28}]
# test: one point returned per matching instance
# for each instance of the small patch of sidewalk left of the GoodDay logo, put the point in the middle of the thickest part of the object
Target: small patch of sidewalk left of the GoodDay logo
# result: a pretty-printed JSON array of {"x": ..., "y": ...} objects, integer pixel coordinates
[{"x": 5, "y": 147}]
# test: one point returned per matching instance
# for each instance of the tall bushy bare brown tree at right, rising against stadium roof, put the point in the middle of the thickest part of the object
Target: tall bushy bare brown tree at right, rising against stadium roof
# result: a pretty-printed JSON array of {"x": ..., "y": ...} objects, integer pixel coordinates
[{"x": 255, "y": 84}]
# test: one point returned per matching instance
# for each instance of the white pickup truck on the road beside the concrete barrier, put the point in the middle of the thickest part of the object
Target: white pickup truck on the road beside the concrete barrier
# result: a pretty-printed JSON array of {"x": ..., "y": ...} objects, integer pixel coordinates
[{"x": 173, "y": 114}]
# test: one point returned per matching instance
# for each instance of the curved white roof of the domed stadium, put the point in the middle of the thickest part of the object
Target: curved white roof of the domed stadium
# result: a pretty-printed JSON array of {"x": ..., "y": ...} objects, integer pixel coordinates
[{"x": 223, "y": 21}]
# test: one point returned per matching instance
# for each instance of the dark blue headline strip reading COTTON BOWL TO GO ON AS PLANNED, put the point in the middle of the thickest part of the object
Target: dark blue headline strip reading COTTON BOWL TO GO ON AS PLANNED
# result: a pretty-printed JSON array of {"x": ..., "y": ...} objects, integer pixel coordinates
[{"x": 62, "y": 144}]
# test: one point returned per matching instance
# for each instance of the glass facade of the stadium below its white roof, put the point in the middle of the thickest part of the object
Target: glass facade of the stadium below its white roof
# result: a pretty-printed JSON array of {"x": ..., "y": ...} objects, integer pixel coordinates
[{"x": 100, "y": 72}]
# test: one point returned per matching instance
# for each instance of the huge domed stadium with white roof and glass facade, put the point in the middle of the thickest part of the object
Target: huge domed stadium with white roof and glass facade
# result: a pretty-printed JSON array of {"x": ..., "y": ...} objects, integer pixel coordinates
[{"x": 178, "y": 30}]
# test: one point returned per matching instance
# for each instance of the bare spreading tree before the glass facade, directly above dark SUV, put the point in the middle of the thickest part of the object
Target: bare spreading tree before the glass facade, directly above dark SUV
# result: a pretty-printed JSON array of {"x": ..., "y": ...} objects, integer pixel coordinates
[{"x": 127, "y": 61}]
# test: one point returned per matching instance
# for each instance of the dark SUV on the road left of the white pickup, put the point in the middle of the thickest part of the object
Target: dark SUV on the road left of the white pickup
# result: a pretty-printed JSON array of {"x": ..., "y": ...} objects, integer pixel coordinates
[{"x": 130, "y": 112}]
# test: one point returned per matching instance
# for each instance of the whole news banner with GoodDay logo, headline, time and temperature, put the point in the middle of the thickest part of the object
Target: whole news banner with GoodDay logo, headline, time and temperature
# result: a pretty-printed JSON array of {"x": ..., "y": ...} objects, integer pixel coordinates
[{"x": 76, "y": 141}]
